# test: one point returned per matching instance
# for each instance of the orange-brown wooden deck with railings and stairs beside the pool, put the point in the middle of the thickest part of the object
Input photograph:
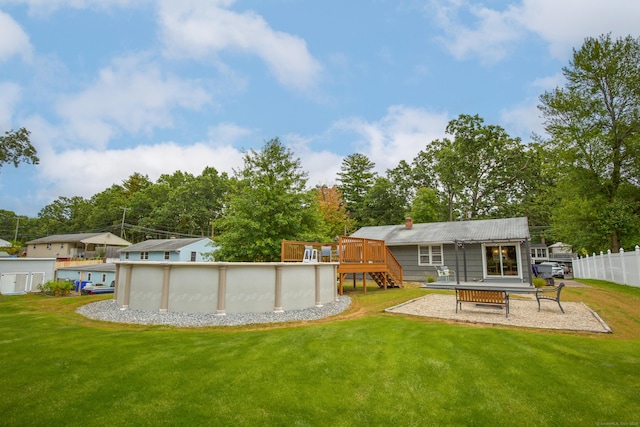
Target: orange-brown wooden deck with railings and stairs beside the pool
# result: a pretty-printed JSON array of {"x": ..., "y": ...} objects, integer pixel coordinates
[{"x": 354, "y": 256}]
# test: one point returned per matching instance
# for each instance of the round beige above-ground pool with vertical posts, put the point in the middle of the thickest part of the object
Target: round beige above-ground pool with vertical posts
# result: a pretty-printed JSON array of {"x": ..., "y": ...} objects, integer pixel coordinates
[{"x": 221, "y": 288}]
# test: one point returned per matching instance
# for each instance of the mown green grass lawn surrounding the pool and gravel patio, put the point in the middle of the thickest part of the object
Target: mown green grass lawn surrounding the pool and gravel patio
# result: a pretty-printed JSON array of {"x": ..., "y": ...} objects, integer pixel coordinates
[{"x": 363, "y": 367}]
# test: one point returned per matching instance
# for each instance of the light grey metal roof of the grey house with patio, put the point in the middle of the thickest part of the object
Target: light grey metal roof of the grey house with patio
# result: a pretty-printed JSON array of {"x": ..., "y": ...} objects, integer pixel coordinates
[{"x": 488, "y": 230}]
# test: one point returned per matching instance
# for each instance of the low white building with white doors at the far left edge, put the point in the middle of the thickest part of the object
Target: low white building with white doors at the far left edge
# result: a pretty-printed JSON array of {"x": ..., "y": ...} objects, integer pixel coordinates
[{"x": 20, "y": 275}]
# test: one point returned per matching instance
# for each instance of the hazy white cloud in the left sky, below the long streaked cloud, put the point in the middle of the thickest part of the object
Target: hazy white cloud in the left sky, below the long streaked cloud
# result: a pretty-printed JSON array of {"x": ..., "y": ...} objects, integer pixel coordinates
[{"x": 130, "y": 96}]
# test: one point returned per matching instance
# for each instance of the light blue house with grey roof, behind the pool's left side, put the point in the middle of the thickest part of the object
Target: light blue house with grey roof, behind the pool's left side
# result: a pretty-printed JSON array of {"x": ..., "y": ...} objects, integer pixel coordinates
[{"x": 172, "y": 250}]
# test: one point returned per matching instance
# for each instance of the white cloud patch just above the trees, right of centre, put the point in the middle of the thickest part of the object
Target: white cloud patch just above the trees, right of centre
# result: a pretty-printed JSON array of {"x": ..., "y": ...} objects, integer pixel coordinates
[{"x": 399, "y": 135}]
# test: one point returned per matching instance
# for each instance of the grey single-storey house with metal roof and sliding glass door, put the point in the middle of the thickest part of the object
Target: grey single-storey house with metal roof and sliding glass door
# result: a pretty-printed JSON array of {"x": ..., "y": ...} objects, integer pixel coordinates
[{"x": 488, "y": 250}]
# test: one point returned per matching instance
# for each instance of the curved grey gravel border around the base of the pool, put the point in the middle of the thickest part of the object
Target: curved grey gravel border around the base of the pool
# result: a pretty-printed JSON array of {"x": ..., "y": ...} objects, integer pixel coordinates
[{"x": 110, "y": 311}]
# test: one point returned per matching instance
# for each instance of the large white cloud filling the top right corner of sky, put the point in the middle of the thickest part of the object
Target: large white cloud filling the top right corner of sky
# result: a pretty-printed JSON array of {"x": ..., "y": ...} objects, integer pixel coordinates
[{"x": 564, "y": 24}]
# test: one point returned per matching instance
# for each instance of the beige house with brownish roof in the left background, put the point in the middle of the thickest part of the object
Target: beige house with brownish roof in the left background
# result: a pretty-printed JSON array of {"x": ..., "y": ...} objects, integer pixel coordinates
[{"x": 73, "y": 246}]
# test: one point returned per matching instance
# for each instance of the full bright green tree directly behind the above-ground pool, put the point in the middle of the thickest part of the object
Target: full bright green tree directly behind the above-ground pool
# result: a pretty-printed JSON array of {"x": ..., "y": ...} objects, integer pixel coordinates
[{"x": 268, "y": 204}]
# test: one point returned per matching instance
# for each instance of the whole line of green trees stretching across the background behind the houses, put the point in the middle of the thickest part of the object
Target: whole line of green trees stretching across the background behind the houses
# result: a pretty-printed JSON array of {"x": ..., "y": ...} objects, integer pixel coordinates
[{"x": 579, "y": 185}]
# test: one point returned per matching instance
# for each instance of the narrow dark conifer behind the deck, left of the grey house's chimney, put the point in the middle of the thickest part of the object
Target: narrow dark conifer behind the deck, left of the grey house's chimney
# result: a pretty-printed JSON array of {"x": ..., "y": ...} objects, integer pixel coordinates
[{"x": 355, "y": 179}]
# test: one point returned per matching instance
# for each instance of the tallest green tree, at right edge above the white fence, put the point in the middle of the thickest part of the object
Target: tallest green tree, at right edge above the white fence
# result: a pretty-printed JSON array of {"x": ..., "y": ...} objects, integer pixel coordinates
[{"x": 594, "y": 127}]
